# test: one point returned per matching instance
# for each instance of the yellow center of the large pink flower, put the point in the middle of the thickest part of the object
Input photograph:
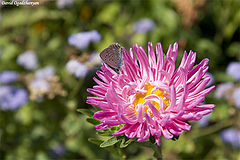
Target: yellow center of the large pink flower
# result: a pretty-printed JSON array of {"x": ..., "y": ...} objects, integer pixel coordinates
[{"x": 162, "y": 94}]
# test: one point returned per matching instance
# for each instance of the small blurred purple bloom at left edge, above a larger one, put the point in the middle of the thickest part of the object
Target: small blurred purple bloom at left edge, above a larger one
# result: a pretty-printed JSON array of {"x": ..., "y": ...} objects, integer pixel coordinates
[{"x": 8, "y": 76}]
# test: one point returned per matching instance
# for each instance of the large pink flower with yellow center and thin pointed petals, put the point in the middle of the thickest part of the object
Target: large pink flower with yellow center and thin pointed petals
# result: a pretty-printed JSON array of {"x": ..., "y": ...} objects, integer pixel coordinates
[{"x": 150, "y": 97}]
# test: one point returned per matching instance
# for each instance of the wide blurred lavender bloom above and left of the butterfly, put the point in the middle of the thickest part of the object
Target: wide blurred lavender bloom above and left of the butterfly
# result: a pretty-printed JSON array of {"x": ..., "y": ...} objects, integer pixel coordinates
[{"x": 83, "y": 39}]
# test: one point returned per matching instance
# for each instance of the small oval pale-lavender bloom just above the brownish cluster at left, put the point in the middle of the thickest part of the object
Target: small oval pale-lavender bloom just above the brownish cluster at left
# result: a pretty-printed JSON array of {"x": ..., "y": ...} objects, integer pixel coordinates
[{"x": 45, "y": 72}]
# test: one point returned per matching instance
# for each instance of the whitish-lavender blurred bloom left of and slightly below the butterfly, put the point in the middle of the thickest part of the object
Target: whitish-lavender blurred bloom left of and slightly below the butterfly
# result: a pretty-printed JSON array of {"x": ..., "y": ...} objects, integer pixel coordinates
[{"x": 76, "y": 68}]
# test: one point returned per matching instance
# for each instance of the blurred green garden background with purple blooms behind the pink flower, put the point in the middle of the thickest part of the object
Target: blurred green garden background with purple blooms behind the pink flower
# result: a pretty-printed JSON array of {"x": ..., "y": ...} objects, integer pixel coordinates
[{"x": 49, "y": 54}]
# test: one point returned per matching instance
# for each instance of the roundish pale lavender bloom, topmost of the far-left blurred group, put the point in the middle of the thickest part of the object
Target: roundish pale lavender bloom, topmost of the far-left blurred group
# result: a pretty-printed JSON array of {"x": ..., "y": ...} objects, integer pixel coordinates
[{"x": 28, "y": 60}]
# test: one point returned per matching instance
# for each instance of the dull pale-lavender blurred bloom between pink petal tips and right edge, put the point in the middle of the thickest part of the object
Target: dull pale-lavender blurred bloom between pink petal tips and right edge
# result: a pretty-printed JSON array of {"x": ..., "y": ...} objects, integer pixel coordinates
[{"x": 222, "y": 89}]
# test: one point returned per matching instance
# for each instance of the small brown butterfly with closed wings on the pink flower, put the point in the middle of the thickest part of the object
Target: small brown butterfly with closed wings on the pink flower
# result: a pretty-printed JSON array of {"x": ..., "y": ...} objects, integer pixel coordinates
[{"x": 112, "y": 56}]
